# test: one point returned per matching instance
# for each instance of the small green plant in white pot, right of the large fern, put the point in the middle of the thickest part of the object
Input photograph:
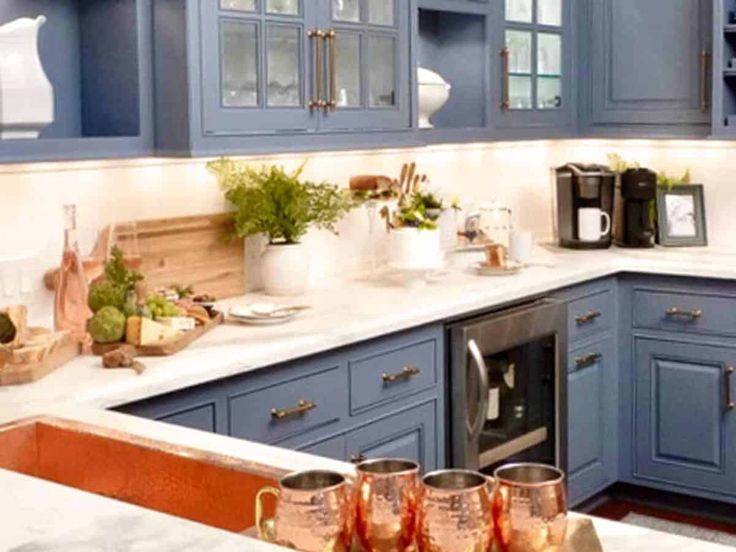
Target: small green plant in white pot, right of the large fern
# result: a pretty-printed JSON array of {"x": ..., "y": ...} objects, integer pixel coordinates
[{"x": 415, "y": 235}]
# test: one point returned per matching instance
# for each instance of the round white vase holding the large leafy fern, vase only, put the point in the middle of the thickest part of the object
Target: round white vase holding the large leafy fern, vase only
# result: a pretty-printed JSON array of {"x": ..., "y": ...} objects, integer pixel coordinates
[{"x": 285, "y": 269}]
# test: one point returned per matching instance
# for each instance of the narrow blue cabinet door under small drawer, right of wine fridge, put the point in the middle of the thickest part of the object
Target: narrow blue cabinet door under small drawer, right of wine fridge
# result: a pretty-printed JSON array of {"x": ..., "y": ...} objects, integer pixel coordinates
[{"x": 592, "y": 418}]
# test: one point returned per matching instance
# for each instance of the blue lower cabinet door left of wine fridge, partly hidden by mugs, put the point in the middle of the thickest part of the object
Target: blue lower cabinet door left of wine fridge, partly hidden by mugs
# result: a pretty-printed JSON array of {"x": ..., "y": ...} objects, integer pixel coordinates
[{"x": 410, "y": 434}]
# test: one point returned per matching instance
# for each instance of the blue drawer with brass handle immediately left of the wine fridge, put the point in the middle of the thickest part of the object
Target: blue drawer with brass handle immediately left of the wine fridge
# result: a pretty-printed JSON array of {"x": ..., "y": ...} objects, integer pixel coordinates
[{"x": 392, "y": 371}]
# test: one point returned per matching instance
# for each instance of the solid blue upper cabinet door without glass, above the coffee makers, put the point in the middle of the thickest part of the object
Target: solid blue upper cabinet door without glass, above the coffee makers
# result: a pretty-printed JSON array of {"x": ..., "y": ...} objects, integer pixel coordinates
[{"x": 646, "y": 67}]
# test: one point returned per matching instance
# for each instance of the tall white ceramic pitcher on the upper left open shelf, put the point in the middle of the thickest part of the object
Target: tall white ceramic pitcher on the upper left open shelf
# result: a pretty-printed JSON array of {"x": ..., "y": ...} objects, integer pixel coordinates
[{"x": 26, "y": 95}]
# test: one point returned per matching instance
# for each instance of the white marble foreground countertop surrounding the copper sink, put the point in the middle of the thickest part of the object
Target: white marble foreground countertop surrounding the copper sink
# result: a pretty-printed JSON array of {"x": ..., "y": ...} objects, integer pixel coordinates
[{"x": 39, "y": 516}]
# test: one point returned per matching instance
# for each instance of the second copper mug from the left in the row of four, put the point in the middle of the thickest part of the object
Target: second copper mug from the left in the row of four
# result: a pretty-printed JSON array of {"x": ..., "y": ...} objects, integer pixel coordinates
[{"x": 385, "y": 505}]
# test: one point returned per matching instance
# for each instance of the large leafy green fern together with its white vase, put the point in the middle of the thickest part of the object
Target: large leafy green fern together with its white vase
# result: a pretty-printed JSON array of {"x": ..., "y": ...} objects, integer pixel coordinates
[{"x": 281, "y": 206}]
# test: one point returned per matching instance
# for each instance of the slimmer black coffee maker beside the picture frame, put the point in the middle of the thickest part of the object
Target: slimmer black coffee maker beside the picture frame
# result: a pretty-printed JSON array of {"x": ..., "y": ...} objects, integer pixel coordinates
[{"x": 634, "y": 226}]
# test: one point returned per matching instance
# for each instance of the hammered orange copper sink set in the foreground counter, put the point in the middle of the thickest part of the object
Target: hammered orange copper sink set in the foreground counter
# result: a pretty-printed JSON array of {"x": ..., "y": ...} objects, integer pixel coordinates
[{"x": 215, "y": 490}]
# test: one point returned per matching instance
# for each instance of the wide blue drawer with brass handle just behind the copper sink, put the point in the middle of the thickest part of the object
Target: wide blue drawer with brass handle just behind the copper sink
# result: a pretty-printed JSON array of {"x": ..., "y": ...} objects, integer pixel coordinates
[{"x": 288, "y": 408}]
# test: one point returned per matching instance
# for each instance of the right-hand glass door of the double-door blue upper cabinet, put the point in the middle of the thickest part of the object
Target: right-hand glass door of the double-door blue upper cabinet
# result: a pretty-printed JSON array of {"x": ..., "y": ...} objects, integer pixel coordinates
[{"x": 367, "y": 68}]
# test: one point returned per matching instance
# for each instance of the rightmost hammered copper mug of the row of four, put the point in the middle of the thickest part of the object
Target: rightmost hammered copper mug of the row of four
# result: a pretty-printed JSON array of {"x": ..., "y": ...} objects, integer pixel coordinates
[{"x": 529, "y": 508}]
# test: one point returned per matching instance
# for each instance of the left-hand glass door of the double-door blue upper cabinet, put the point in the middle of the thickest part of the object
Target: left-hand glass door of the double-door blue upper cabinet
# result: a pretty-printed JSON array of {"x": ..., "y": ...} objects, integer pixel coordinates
[{"x": 258, "y": 58}]
